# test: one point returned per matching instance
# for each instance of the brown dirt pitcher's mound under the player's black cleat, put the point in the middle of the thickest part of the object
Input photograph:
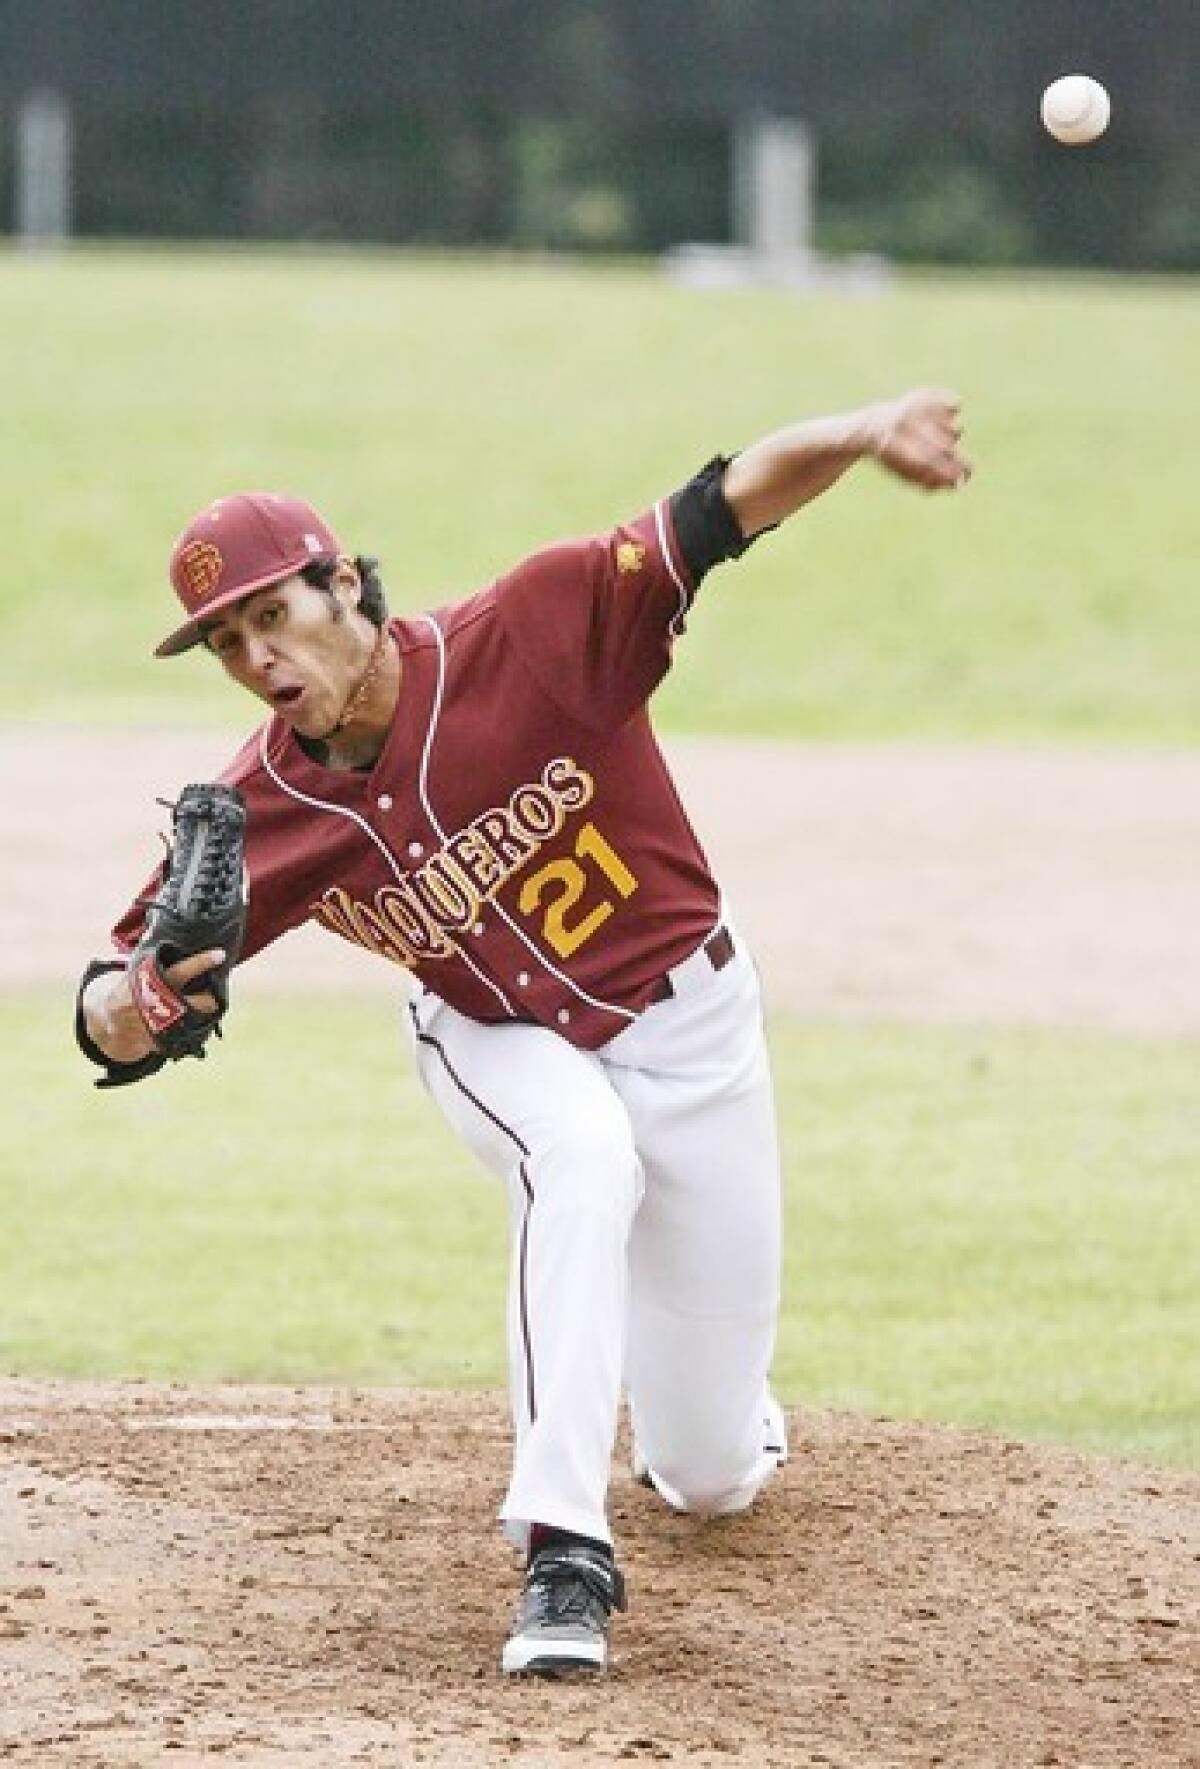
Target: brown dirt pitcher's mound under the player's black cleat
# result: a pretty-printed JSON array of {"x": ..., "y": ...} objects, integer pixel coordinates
[{"x": 279, "y": 1577}]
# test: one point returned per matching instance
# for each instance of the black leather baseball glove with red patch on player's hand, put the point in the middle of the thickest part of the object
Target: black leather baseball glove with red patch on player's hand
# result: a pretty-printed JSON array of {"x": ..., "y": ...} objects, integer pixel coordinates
[{"x": 201, "y": 905}]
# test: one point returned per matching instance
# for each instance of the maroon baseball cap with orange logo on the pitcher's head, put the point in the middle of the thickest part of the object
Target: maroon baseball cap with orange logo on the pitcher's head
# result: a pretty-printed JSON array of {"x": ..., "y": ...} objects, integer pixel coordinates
[{"x": 235, "y": 548}]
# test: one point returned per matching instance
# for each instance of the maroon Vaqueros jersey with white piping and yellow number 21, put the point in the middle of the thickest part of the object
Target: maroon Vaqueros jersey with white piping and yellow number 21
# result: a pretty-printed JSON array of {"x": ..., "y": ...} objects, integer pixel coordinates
[{"x": 519, "y": 845}]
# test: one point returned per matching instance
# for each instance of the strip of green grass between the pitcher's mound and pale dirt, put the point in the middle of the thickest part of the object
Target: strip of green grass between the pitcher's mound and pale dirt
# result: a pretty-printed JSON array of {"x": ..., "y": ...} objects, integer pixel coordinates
[{"x": 985, "y": 1229}]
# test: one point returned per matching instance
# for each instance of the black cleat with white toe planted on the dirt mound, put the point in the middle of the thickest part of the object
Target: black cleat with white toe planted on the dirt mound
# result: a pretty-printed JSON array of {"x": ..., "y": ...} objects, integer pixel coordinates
[{"x": 564, "y": 1614}]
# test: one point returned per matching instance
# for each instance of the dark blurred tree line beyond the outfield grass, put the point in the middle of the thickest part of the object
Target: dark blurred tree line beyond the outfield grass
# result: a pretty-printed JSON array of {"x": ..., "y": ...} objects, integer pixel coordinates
[{"x": 606, "y": 125}]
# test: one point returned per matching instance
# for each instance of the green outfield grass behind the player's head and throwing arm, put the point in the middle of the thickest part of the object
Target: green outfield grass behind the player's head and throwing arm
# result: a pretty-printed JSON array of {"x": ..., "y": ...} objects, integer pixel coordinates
[{"x": 452, "y": 415}]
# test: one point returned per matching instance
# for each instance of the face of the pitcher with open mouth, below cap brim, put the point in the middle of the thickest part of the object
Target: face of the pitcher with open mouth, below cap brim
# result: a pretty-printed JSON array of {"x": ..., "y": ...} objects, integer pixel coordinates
[{"x": 293, "y": 648}]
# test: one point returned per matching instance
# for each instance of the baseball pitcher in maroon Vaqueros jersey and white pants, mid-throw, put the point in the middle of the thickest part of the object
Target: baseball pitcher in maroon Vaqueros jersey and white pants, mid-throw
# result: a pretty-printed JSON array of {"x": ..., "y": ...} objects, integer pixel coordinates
[{"x": 475, "y": 795}]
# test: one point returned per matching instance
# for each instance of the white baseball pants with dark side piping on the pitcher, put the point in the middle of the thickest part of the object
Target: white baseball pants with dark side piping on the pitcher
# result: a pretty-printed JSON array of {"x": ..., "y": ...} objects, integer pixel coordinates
[{"x": 645, "y": 1206}]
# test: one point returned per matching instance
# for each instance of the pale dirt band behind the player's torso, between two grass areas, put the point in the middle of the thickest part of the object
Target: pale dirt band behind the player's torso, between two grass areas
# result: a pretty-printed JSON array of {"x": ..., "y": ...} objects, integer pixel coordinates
[{"x": 909, "y": 884}]
